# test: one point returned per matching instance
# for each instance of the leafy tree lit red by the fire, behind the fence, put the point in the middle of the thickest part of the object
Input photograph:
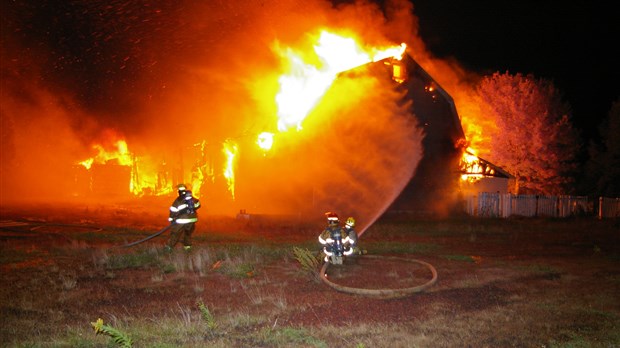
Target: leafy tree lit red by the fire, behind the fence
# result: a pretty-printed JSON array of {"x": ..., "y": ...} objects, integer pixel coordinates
[{"x": 535, "y": 140}]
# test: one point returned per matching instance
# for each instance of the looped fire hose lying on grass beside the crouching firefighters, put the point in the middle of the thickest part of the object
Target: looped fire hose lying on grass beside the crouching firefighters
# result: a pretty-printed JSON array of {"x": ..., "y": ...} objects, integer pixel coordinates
[{"x": 383, "y": 293}]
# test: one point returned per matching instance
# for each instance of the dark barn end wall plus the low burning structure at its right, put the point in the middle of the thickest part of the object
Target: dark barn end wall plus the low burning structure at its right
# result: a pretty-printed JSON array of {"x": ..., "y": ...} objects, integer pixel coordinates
[{"x": 448, "y": 171}]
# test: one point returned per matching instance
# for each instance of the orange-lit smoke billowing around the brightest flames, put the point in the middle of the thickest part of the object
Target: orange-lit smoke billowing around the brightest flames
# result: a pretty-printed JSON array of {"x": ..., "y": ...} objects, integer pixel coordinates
[{"x": 167, "y": 74}]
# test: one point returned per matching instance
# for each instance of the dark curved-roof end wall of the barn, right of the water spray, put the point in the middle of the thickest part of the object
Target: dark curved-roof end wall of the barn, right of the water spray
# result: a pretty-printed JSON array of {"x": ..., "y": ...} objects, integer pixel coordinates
[{"x": 432, "y": 189}]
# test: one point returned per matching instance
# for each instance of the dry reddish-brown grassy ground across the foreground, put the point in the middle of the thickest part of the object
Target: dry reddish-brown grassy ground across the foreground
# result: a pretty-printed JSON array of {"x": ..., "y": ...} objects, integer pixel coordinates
[{"x": 498, "y": 287}]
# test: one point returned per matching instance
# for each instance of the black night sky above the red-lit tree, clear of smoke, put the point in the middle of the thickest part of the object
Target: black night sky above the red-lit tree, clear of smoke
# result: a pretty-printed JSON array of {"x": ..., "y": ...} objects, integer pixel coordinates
[{"x": 574, "y": 44}]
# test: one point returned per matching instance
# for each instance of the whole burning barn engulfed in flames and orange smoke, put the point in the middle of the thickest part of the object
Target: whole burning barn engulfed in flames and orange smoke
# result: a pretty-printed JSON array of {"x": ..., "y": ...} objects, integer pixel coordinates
[{"x": 314, "y": 119}]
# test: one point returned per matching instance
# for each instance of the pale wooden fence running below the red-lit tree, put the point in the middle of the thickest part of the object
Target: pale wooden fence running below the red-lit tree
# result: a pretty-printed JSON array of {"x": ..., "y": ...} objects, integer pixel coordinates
[{"x": 487, "y": 204}]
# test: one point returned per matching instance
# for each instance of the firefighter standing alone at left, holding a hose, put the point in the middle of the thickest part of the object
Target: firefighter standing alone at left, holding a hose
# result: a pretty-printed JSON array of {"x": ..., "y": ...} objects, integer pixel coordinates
[{"x": 183, "y": 218}]
